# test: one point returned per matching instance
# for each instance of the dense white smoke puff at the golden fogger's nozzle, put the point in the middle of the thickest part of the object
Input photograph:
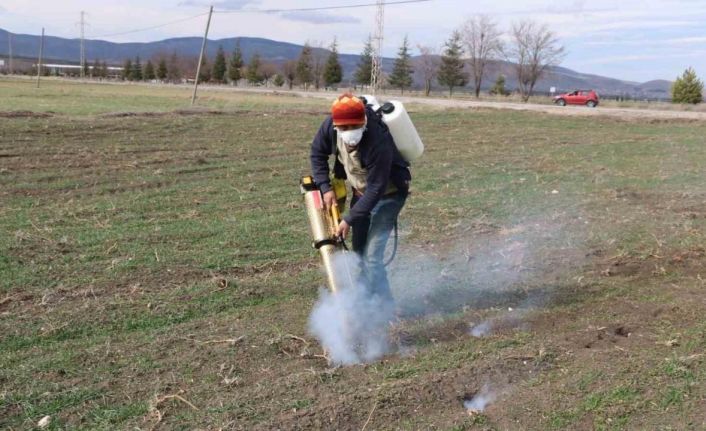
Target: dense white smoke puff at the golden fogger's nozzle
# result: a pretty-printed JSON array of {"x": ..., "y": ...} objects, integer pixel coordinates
[{"x": 351, "y": 325}]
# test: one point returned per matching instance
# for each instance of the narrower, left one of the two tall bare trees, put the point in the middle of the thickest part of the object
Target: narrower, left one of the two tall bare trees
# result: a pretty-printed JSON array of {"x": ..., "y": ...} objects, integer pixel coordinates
[{"x": 483, "y": 43}]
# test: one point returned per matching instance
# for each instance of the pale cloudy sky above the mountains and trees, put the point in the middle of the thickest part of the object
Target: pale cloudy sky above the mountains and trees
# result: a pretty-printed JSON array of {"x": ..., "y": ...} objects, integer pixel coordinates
[{"x": 635, "y": 40}]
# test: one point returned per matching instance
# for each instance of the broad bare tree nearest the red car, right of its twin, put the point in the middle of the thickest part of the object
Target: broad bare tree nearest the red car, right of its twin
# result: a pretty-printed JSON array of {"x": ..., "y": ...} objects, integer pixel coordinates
[{"x": 533, "y": 49}]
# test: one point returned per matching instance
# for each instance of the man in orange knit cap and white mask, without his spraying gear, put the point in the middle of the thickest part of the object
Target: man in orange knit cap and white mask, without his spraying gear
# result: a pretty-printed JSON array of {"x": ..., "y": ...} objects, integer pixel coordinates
[{"x": 366, "y": 156}]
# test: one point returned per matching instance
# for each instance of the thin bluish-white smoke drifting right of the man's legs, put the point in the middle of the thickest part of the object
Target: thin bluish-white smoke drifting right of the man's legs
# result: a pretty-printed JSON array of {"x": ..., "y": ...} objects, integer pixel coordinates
[{"x": 497, "y": 268}]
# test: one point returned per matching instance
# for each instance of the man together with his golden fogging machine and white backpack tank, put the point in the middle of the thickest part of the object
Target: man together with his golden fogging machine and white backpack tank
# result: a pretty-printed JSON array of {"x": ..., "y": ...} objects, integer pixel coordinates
[{"x": 371, "y": 162}]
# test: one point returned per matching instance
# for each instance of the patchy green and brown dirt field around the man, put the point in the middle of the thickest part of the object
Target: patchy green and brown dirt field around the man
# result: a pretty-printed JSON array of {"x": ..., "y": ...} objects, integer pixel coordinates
[{"x": 156, "y": 270}]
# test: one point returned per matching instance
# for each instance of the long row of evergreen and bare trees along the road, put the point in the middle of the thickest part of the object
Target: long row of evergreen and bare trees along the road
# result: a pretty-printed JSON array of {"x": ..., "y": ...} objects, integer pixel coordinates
[{"x": 465, "y": 57}]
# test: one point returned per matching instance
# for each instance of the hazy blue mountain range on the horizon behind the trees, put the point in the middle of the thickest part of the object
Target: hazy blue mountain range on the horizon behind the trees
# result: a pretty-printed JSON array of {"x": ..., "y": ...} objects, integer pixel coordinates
[{"x": 68, "y": 50}]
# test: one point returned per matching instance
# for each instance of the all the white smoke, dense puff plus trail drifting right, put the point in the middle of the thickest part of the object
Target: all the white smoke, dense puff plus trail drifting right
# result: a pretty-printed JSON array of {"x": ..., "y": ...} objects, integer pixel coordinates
[{"x": 498, "y": 268}]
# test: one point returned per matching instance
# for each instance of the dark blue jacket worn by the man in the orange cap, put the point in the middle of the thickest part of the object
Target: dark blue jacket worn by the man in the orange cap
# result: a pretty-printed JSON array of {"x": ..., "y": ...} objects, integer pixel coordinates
[{"x": 378, "y": 155}]
